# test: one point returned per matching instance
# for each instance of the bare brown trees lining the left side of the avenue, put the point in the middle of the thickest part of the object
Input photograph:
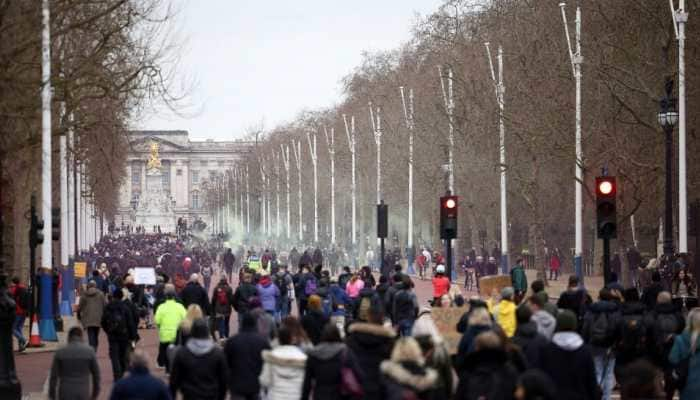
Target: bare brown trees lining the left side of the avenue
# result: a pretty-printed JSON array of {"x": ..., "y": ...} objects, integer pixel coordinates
[{"x": 111, "y": 62}]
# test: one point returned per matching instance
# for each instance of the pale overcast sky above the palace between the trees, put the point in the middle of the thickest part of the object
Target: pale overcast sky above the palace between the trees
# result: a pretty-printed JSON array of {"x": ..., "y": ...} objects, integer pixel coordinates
[{"x": 256, "y": 60}]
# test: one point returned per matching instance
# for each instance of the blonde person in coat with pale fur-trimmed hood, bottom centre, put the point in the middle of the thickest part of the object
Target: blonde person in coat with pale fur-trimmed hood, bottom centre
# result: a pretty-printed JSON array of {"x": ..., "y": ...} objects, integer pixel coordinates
[{"x": 405, "y": 375}]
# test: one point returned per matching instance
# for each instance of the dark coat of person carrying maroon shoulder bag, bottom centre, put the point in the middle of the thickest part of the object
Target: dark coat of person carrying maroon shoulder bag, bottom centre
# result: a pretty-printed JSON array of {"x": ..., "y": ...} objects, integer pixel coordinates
[{"x": 322, "y": 374}]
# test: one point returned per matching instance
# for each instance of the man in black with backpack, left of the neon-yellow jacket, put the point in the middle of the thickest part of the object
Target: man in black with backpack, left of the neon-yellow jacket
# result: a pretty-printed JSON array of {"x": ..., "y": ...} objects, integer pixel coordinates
[{"x": 118, "y": 324}]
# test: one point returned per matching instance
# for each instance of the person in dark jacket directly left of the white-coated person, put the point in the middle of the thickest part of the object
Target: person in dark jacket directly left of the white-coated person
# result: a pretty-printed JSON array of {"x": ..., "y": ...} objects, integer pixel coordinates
[{"x": 244, "y": 357}]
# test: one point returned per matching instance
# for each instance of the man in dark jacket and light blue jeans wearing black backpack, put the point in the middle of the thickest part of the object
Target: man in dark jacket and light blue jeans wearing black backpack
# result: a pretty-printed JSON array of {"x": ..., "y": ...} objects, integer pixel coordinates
[{"x": 602, "y": 329}]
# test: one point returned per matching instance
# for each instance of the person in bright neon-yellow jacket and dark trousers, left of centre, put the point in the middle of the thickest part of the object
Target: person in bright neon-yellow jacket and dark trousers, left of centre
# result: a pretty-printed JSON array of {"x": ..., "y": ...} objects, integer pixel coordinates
[{"x": 168, "y": 318}]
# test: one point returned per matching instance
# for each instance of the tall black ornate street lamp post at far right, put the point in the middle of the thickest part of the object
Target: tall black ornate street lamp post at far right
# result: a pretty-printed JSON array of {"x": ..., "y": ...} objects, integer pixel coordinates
[{"x": 668, "y": 118}]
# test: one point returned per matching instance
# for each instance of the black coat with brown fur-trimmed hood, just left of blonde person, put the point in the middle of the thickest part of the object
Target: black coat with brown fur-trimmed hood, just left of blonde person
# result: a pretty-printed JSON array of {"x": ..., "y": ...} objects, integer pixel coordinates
[{"x": 371, "y": 344}]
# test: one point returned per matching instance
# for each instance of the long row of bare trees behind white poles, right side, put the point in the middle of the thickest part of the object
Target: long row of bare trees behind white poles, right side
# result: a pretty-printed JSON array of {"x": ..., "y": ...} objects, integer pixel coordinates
[{"x": 629, "y": 49}]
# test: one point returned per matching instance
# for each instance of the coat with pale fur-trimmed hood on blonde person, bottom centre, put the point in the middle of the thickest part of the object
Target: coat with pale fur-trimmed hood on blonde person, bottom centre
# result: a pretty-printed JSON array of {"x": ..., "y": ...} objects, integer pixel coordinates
[{"x": 407, "y": 380}]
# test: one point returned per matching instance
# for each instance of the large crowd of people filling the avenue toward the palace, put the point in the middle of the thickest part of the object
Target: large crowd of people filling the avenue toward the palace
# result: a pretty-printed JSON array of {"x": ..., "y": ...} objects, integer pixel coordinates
[{"x": 304, "y": 332}]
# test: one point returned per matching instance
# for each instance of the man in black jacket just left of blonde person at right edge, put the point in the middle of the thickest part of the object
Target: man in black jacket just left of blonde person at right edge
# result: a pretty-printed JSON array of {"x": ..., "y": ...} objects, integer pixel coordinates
[{"x": 663, "y": 323}]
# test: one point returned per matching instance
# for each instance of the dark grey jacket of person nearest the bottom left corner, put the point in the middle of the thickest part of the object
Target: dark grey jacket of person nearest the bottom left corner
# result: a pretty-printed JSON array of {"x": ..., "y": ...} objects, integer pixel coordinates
[{"x": 71, "y": 370}]
